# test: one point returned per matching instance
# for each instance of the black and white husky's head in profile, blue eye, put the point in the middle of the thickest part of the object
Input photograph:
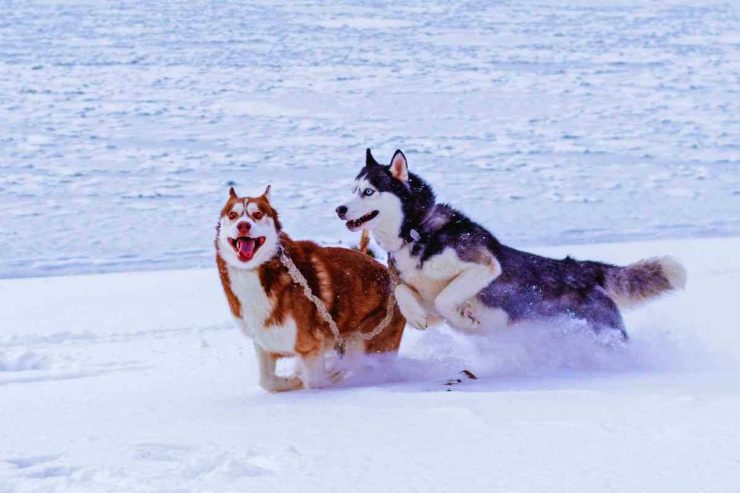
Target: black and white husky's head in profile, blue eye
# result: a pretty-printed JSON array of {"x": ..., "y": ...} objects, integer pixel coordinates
[{"x": 386, "y": 198}]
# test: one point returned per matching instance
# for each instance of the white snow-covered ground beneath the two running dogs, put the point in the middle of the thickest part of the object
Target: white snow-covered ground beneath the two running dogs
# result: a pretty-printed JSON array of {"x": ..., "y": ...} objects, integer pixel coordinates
[{"x": 128, "y": 382}]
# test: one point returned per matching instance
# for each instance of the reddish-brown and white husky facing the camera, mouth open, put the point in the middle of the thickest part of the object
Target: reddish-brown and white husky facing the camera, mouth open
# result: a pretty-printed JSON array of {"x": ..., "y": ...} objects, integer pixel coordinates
[{"x": 271, "y": 307}]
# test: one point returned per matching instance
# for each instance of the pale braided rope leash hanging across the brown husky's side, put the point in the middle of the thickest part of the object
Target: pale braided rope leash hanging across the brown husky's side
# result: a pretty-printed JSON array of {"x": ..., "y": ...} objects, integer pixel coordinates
[{"x": 340, "y": 343}]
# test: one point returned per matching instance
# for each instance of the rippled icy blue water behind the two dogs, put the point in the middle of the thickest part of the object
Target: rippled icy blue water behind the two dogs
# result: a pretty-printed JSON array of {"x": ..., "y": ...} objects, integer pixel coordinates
[{"x": 122, "y": 124}]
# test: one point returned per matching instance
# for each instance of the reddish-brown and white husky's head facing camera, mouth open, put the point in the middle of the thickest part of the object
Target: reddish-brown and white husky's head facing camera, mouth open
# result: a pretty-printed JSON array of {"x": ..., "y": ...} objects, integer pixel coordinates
[{"x": 248, "y": 230}]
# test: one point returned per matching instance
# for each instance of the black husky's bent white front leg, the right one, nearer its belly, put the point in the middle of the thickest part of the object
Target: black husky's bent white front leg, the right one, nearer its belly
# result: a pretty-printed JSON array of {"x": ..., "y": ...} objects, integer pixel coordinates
[{"x": 453, "y": 303}]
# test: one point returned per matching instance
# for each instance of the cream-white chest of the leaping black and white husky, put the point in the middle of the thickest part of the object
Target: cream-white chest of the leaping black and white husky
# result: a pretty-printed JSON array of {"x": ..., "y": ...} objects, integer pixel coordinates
[{"x": 430, "y": 278}]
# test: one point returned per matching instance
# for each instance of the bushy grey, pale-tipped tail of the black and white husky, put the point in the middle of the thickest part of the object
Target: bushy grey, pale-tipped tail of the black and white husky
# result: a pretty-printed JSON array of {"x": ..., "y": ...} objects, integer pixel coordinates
[{"x": 642, "y": 281}]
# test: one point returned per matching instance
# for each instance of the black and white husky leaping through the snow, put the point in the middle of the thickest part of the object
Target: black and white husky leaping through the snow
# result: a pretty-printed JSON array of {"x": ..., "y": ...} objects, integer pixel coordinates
[{"x": 453, "y": 269}]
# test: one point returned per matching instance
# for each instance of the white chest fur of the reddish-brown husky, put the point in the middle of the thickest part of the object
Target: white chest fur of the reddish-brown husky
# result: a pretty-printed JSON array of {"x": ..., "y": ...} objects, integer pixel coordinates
[{"x": 256, "y": 307}]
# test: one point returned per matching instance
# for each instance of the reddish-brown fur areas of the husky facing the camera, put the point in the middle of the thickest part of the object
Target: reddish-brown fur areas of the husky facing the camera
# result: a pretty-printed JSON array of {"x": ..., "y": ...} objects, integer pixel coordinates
[{"x": 354, "y": 288}]
